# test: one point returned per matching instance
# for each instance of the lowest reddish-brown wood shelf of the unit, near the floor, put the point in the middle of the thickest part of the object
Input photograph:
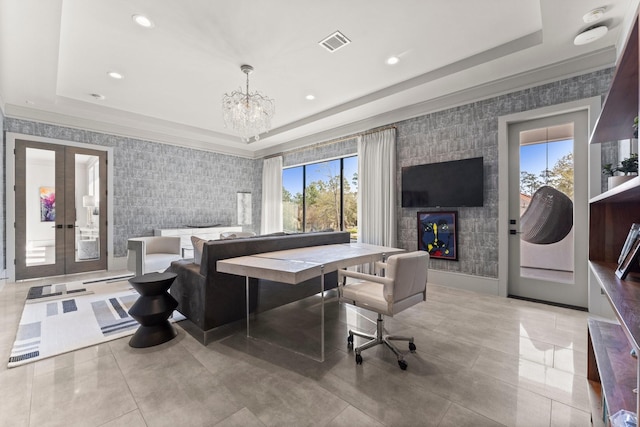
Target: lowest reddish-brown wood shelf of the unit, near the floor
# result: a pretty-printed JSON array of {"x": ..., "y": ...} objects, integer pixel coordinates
[{"x": 616, "y": 368}]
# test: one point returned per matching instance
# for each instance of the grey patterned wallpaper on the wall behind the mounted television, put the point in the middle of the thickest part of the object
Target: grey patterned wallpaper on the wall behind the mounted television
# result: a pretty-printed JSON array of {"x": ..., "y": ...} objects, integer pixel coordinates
[{"x": 472, "y": 131}]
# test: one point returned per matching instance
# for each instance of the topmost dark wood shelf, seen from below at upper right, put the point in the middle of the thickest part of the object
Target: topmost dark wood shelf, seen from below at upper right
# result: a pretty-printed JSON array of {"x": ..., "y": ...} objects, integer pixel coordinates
[{"x": 621, "y": 105}]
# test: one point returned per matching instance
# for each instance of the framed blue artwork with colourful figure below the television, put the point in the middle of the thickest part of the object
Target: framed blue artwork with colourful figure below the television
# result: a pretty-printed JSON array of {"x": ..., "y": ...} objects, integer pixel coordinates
[{"x": 438, "y": 234}]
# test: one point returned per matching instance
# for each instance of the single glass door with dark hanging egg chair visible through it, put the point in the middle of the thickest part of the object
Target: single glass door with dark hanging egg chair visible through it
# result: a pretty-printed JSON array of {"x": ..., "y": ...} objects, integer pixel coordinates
[{"x": 548, "y": 199}]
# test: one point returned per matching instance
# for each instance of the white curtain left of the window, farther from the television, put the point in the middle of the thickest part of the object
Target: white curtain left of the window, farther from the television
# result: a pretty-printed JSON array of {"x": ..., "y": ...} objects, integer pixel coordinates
[{"x": 271, "y": 195}]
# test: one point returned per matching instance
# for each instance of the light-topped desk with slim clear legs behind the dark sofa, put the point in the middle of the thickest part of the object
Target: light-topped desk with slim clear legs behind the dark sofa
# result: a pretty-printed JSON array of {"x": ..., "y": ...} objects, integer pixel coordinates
[{"x": 294, "y": 266}]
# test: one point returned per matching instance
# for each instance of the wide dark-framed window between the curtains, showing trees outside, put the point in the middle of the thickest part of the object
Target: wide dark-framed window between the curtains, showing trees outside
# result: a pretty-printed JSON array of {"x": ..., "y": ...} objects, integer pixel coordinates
[{"x": 320, "y": 196}]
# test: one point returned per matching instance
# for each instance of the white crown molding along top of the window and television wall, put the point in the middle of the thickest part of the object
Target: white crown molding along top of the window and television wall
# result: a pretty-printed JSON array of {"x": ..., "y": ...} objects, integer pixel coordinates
[{"x": 595, "y": 61}]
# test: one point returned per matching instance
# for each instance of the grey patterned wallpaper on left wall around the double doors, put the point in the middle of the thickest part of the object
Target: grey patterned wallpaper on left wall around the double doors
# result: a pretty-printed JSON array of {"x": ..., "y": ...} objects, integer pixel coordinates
[{"x": 164, "y": 186}]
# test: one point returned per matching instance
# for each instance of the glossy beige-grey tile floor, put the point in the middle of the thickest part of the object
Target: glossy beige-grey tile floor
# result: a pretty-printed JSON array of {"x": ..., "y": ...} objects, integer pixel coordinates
[{"x": 481, "y": 361}]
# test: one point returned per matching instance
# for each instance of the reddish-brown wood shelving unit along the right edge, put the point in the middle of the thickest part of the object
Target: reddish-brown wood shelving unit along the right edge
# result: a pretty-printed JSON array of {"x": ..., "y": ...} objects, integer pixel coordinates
[{"x": 612, "y": 372}]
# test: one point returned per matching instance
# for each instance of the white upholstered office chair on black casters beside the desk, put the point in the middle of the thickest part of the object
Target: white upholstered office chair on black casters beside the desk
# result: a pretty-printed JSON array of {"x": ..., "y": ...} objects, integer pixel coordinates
[{"x": 403, "y": 285}]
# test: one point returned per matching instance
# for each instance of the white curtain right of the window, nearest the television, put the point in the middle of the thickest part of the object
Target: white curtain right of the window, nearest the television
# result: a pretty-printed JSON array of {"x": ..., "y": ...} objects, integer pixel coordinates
[{"x": 377, "y": 188}]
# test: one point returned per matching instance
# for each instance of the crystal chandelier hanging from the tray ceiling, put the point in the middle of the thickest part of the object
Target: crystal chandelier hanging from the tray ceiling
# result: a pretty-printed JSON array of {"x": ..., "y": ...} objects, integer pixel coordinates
[{"x": 249, "y": 114}]
